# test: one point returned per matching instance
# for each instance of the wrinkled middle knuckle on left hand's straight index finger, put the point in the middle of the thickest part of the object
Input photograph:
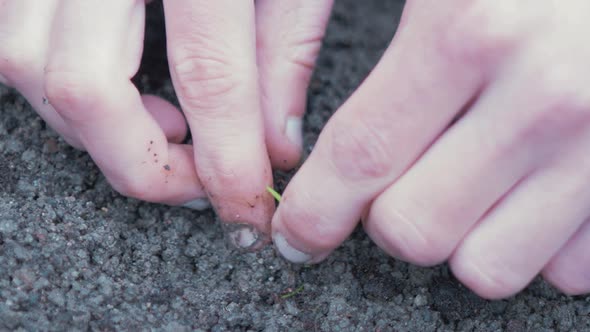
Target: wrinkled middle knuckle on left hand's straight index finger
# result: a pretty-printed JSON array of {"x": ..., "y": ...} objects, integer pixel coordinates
[{"x": 205, "y": 81}]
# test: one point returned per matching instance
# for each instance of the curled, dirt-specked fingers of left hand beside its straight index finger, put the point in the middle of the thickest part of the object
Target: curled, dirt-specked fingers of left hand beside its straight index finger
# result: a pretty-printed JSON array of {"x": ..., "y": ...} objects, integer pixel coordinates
[{"x": 73, "y": 61}]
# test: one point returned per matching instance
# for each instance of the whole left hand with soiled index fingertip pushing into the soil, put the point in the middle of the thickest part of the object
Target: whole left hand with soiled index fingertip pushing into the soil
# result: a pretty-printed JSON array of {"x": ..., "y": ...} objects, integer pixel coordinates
[{"x": 239, "y": 69}]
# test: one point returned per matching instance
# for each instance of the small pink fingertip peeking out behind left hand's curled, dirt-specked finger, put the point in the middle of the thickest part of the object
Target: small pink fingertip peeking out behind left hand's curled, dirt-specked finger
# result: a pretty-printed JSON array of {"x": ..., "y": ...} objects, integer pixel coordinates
[{"x": 168, "y": 118}]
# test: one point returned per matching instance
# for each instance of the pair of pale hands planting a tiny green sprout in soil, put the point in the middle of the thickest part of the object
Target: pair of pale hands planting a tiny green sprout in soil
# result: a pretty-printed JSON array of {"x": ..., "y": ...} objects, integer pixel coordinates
[{"x": 467, "y": 143}]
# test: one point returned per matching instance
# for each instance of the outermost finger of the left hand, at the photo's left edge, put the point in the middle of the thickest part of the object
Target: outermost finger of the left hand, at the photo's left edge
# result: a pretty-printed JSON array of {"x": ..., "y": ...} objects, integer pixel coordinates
[{"x": 24, "y": 40}]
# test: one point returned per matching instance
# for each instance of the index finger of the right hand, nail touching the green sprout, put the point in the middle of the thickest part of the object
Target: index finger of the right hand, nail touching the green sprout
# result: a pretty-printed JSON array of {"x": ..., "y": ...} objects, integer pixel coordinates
[{"x": 375, "y": 136}]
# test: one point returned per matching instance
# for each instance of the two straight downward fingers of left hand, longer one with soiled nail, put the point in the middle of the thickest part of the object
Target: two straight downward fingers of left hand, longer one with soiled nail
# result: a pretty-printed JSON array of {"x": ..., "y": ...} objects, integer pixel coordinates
[{"x": 241, "y": 70}]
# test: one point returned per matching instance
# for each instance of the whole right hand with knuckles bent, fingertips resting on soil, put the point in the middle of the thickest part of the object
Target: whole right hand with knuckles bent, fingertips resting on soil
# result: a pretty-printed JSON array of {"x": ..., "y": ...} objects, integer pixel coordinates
[{"x": 467, "y": 143}]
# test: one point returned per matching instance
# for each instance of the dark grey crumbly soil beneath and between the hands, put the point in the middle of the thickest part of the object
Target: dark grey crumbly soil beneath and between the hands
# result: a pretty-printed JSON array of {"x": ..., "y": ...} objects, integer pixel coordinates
[{"x": 76, "y": 255}]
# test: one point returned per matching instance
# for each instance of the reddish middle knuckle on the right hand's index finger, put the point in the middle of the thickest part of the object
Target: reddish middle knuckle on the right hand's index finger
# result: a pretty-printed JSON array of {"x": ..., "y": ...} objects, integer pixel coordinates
[{"x": 360, "y": 151}]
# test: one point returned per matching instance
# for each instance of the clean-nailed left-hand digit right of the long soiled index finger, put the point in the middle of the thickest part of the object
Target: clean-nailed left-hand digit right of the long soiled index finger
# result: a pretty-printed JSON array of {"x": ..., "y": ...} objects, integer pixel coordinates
[{"x": 289, "y": 36}]
